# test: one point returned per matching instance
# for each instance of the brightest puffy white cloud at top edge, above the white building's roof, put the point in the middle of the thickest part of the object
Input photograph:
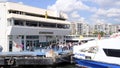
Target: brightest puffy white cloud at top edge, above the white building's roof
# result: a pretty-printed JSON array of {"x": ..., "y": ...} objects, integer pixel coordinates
[{"x": 68, "y": 5}]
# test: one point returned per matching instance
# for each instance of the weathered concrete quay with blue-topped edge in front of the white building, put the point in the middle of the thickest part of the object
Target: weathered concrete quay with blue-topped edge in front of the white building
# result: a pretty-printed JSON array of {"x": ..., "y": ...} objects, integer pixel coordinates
[{"x": 32, "y": 58}]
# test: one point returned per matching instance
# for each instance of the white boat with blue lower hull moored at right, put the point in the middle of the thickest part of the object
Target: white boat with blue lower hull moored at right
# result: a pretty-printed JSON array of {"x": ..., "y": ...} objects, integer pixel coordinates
[{"x": 103, "y": 53}]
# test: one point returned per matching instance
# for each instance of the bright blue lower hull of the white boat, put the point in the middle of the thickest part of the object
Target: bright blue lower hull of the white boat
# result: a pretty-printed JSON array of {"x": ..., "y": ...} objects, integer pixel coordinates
[{"x": 94, "y": 64}]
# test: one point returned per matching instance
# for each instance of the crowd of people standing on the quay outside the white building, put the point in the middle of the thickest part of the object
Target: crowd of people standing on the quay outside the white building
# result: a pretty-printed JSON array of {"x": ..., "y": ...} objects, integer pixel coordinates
[{"x": 56, "y": 46}]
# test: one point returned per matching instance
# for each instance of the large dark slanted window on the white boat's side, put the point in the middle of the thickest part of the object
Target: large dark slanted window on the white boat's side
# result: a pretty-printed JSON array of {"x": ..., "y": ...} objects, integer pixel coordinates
[{"x": 112, "y": 52}]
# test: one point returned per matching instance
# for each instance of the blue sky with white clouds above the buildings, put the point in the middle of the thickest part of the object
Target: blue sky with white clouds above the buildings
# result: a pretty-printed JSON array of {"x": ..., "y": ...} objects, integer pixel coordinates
[{"x": 87, "y": 11}]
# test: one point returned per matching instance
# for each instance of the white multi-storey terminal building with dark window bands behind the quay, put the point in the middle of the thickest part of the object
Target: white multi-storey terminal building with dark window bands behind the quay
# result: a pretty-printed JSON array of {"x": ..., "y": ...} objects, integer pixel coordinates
[{"x": 25, "y": 25}]
